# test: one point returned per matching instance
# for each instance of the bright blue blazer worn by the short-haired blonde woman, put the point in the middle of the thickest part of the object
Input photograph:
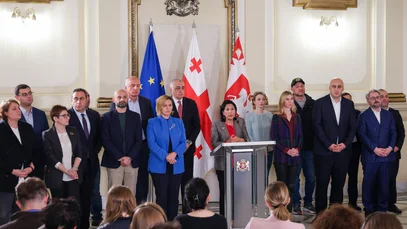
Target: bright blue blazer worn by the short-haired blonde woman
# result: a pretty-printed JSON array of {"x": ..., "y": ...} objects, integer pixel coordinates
[{"x": 159, "y": 130}]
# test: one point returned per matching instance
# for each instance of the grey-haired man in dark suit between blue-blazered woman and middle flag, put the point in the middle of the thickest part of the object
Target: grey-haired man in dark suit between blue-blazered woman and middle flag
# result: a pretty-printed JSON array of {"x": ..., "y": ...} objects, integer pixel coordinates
[{"x": 187, "y": 110}]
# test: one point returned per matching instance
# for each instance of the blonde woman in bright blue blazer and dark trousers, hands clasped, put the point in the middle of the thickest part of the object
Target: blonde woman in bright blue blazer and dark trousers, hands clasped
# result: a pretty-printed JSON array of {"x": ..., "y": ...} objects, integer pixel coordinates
[{"x": 167, "y": 143}]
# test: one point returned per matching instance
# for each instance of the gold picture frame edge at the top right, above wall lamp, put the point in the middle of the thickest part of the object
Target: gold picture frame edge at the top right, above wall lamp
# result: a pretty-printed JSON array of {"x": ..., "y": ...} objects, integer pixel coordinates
[{"x": 326, "y": 4}]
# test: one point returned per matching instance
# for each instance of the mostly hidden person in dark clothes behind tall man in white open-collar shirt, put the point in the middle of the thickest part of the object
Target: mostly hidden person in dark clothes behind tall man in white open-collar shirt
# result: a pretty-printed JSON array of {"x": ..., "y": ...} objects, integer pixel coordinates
[{"x": 353, "y": 165}]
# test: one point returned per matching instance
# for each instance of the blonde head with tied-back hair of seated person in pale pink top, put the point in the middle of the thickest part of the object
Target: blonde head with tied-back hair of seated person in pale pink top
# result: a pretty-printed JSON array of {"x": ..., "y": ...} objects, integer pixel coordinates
[{"x": 277, "y": 198}]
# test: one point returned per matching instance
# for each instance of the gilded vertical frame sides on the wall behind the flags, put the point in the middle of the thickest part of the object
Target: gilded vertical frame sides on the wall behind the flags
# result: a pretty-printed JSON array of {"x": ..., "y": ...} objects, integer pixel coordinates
[{"x": 230, "y": 5}]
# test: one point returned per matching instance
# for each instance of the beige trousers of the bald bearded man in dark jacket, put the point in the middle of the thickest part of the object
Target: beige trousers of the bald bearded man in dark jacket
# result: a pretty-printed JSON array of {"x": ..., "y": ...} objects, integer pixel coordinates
[{"x": 126, "y": 176}]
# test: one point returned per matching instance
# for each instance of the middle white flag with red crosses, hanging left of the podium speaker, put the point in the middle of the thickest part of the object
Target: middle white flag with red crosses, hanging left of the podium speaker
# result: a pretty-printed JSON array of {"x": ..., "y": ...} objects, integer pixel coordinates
[{"x": 195, "y": 89}]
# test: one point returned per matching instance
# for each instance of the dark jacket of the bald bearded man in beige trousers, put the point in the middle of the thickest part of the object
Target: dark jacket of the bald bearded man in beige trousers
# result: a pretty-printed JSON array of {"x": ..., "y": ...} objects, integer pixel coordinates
[{"x": 112, "y": 138}]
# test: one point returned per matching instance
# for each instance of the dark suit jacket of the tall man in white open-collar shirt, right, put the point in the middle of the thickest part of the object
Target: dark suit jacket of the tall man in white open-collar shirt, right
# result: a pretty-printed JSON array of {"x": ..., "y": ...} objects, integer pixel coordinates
[{"x": 327, "y": 130}]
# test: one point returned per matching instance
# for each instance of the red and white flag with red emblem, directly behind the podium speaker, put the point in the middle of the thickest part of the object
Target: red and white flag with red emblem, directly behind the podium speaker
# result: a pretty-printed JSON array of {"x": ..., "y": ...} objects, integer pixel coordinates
[{"x": 238, "y": 88}]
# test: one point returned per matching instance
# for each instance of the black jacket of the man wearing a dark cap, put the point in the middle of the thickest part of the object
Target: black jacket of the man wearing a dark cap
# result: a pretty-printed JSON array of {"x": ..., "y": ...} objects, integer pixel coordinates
[{"x": 306, "y": 120}]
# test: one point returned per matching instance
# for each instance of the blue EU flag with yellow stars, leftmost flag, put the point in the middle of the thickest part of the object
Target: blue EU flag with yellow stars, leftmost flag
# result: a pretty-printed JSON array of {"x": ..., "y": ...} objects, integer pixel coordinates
[{"x": 152, "y": 84}]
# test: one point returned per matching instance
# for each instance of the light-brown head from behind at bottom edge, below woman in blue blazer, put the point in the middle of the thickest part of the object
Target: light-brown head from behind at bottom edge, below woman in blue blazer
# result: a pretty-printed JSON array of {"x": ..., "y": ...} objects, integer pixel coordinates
[{"x": 147, "y": 215}]
